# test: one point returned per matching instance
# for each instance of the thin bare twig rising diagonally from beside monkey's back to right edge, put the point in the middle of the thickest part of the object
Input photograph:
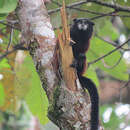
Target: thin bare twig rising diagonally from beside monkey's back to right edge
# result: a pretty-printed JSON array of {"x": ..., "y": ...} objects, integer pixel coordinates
[{"x": 109, "y": 53}]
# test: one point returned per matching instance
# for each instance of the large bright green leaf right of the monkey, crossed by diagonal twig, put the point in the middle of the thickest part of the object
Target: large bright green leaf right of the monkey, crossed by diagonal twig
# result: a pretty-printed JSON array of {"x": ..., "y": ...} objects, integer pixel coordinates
[{"x": 99, "y": 48}]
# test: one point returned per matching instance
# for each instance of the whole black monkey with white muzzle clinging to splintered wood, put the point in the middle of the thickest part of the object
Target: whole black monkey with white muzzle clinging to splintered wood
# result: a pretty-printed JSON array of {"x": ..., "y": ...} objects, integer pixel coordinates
[{"x": 80, "y": 33}]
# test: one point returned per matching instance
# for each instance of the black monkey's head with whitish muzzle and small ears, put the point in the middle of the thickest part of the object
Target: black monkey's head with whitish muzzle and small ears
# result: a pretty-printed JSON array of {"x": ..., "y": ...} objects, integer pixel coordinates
[{"x": 83, "y": 24}]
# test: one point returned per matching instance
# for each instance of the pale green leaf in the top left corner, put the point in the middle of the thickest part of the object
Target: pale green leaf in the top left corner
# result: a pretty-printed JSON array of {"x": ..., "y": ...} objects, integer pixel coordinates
[{"x": 7, "y": 6}]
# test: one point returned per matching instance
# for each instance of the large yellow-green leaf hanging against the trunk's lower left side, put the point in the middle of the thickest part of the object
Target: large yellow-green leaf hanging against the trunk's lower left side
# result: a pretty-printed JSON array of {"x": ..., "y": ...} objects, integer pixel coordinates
[{"x": 29, "y": 87}]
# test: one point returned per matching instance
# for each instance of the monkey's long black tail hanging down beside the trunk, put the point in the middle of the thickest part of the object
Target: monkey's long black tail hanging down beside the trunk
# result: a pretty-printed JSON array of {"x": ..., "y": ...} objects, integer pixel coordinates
[{"x": 90, "y": 86}]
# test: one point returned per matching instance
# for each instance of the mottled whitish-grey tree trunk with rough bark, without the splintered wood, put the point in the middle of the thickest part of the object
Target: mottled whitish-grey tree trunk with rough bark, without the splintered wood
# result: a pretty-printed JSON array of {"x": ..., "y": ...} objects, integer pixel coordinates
[{"x": 69, "y": 108}]
